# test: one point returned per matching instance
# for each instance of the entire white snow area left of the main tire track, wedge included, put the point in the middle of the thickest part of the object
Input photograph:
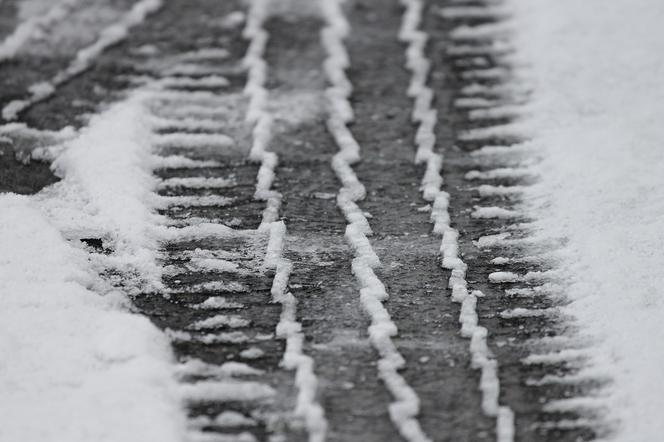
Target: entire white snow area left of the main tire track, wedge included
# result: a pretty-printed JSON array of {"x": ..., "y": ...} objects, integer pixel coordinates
[{"x": 83, "y": 367}]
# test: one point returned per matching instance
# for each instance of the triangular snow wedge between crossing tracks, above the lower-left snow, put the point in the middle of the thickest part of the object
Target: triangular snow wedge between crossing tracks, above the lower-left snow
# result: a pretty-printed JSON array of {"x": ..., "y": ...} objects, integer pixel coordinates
[{"x": 107, "y": 191}]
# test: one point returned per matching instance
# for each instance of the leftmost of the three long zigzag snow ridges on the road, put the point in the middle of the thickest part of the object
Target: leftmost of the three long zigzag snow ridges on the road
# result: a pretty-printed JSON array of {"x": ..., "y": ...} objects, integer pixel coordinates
[{"x": 288, "y": 327}]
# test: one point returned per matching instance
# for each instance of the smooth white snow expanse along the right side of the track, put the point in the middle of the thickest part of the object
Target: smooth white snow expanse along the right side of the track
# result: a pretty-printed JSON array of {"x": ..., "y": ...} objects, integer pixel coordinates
[{"x": 596, "y": 68}]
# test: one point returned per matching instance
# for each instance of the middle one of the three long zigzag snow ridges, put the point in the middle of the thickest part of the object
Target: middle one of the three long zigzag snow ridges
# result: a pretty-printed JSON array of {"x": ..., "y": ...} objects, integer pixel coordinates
[{"x": 405, "y": 408}]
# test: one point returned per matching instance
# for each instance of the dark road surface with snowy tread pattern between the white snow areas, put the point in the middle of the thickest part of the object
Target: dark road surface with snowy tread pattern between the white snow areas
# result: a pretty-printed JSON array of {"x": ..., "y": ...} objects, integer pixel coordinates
[{"x": 307, "y": 289}]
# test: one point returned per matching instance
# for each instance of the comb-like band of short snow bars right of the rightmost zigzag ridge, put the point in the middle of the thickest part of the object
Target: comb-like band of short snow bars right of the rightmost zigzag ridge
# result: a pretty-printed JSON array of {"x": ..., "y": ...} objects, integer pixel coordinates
[{"x": 488, "y": 170}]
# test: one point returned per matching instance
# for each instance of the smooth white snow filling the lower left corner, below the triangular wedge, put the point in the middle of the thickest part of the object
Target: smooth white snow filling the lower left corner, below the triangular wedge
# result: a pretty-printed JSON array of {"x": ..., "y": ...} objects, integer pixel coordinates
[{"x": 81, "y": 367}]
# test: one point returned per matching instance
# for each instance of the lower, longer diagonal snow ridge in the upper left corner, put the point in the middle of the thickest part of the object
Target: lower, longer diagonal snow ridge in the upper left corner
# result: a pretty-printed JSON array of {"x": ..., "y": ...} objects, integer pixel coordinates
[{"x": 84, "y": 58}]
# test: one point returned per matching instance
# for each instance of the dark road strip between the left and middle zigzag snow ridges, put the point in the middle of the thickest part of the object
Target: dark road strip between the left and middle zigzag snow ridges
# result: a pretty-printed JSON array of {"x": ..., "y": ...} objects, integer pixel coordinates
[{"x": 354, "y": 399}]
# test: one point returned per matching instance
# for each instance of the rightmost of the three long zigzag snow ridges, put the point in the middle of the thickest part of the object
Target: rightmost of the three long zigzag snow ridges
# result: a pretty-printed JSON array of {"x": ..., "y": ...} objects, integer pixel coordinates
[{"x": 425, "y": 116}]
